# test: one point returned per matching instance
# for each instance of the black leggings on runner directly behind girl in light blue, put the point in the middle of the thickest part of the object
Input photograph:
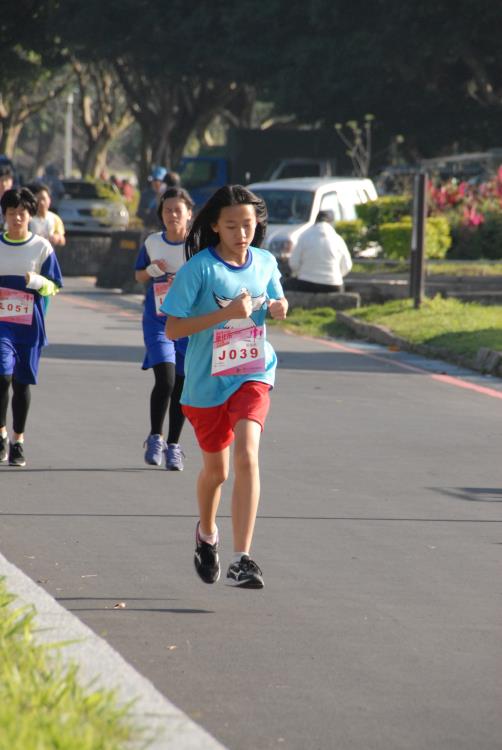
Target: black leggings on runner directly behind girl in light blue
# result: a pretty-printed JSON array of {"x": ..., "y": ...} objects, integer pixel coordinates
[{"x": 166, "y": 392}]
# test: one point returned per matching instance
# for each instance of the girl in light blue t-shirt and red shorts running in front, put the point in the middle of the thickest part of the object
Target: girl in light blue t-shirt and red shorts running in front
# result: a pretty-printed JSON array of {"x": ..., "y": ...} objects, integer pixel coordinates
[{"x": 220, "y": 299}]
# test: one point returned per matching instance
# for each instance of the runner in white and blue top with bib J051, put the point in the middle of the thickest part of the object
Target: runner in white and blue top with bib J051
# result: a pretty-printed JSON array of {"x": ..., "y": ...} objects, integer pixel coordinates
[{"x": 29, "y": 272}]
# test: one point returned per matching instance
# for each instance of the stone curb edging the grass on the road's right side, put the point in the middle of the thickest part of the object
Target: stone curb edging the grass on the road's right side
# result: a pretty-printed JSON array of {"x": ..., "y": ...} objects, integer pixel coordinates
[{"x": 487, "y": 361}]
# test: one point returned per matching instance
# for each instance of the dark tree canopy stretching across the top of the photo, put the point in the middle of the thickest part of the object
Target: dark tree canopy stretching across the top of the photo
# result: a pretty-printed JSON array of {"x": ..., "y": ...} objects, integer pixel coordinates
[{"x": 430, "y": 72}]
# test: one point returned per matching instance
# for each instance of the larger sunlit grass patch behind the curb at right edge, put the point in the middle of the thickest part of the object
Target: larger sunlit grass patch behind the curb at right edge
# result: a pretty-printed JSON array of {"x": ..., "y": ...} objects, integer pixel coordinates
[{"x": 459, "y": 327}]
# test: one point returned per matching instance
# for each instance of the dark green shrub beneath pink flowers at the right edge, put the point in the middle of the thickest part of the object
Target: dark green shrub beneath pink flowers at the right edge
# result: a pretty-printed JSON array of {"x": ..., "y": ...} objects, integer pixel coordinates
[{"x": 483, "y": 241}]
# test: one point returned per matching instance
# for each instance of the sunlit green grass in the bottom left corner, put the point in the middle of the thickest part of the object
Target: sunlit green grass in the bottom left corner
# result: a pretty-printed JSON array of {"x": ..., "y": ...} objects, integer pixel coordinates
[{"x": 42, "y": 705}]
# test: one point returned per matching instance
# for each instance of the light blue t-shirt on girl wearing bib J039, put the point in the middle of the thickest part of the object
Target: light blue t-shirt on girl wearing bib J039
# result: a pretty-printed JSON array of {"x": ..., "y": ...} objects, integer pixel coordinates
[{"x": 198, "y": 286}]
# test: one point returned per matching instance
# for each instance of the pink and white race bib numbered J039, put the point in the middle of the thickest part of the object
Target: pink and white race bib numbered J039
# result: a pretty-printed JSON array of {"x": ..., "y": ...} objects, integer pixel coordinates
[{"x": 237, "y": 351}]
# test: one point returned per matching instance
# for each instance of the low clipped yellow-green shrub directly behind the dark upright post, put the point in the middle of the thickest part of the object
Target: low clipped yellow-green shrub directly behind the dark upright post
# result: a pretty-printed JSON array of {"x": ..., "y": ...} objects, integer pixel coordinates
[{"x": 395, "y": 238}]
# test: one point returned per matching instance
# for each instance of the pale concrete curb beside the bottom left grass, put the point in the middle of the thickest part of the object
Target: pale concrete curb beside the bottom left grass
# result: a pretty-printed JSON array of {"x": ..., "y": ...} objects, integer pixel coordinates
[{"x": 100, "y": 664}]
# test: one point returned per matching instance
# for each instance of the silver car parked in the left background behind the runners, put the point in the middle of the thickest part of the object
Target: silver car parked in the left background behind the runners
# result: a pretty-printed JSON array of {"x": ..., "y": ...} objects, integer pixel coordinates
[{"x": 91, "y": 207}]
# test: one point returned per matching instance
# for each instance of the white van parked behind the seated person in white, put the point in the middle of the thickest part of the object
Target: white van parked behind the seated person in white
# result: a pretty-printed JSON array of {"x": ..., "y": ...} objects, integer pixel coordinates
[{"x": 293, "y": 205}]
